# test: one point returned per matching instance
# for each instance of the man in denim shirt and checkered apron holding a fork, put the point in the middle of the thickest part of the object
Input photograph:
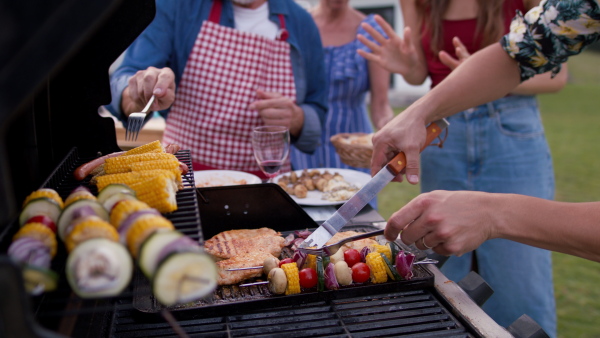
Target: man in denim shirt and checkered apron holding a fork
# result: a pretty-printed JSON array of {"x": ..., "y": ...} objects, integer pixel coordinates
[{"x": 220, "y": 68}]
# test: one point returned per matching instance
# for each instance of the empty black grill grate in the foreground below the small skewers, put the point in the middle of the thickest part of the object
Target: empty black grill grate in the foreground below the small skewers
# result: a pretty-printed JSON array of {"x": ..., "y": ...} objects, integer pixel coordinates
[{"x": 415, "y": 313}]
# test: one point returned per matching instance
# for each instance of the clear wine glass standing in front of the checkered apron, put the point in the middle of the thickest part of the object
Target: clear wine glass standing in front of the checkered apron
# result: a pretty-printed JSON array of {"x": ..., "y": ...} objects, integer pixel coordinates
[{"x": 271, "y": 146}]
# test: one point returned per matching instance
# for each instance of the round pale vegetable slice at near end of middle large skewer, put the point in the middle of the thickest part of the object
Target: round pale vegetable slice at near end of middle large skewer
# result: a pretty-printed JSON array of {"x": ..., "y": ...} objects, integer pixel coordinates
[{"x": 99, "y": 268}]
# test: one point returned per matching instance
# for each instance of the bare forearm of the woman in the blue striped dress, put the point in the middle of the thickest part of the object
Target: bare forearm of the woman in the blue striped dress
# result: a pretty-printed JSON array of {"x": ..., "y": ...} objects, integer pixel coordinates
[{"x": 381, "y": 111}]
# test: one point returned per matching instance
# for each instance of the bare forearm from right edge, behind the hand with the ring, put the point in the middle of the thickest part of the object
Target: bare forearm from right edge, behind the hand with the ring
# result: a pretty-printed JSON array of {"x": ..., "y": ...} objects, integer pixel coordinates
[{"x": 570, "y": 228}]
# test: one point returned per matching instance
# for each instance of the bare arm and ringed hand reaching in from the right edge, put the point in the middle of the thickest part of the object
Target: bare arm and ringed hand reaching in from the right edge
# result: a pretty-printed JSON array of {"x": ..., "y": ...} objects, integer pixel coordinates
[{"x": 456, "y": 222}]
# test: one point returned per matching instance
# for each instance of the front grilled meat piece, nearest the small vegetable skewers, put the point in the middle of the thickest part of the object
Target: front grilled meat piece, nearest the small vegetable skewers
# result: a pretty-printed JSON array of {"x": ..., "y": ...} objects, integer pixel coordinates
[{"x": 241, "y": 261}]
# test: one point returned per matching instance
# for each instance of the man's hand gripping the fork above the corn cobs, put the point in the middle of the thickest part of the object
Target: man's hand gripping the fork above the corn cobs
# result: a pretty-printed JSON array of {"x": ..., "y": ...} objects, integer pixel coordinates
[{"x": 144, "y": 84}]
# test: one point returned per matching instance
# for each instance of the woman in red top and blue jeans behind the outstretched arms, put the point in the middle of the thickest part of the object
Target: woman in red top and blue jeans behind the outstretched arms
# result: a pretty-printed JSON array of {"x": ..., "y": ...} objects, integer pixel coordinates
[{"x": 498, "y": 147}]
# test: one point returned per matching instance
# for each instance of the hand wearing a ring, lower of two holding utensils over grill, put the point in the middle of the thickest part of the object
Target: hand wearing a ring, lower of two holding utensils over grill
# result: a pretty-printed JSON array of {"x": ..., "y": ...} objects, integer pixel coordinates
[{"x": 448, "y": 222}]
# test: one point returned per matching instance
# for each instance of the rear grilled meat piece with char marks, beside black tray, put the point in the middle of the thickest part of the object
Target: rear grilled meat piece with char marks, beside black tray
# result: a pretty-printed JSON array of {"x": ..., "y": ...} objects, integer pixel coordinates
[{"x": 243, "y": 246}]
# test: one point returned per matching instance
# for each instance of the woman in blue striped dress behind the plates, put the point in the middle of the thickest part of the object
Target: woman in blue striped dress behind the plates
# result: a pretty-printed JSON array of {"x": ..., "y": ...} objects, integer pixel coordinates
[{"x": 349, "y": 78}]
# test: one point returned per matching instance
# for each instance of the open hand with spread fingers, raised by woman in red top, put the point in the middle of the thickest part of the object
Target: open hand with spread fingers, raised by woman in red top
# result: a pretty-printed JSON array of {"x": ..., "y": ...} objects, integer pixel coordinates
[{"x": 395, "y": 54}]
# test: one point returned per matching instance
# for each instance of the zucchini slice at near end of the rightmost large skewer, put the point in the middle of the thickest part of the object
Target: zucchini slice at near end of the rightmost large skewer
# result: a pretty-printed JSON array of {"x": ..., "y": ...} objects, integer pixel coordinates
[{"x": 183, "y": 277}]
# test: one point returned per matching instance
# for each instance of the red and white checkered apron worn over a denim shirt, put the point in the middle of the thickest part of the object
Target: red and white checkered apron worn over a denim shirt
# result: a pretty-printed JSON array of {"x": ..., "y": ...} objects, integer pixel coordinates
[{"x": 210, "y": 115}]
